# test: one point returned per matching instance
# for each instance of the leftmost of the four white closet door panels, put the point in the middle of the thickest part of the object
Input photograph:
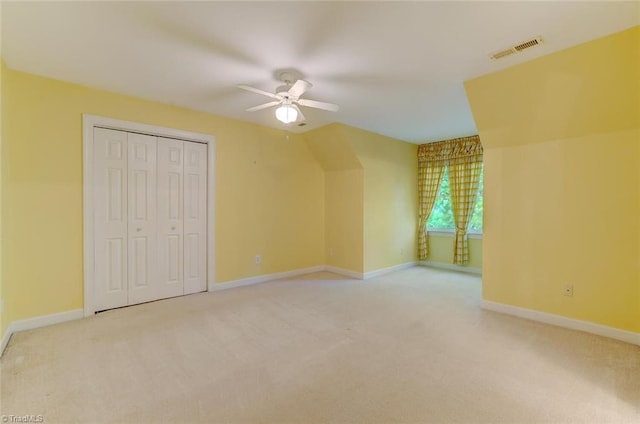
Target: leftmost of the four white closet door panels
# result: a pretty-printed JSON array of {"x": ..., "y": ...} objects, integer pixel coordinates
[{"x": 110, "y": 218}]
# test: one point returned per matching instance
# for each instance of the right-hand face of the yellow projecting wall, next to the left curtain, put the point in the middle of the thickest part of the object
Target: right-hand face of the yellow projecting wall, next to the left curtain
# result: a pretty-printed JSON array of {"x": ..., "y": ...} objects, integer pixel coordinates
[{"x": 390, "y": 197}]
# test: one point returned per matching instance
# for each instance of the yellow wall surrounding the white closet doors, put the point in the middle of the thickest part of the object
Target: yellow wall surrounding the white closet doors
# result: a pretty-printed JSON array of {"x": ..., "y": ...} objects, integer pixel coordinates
[{"x": 267, "y": 191}]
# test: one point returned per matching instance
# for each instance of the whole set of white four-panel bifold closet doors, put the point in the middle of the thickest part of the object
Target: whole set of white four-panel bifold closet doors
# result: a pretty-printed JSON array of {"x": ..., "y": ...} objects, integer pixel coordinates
[{"x": 150, "y": 218}]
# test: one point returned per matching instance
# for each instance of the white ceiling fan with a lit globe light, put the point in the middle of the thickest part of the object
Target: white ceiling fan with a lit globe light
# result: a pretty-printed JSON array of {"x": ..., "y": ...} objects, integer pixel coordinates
[{"x": 288, "y": 97}]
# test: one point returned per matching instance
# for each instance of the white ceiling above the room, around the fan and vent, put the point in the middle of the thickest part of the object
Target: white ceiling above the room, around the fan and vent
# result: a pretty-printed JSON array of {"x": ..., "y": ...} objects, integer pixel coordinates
[{"x": 395, "y": 68}]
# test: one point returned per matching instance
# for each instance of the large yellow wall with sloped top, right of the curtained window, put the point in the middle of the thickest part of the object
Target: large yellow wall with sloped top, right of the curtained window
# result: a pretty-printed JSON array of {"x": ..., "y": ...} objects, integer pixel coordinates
[{"x": 562, "y": 181}]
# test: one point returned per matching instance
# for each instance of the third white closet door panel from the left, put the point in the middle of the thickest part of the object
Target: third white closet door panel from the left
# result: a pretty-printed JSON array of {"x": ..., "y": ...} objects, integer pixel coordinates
[{"x": 170, "y": 217}]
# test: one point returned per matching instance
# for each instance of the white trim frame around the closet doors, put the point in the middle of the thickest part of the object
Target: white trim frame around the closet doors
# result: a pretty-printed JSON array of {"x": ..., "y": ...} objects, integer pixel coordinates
[{"x": 91, "y": 121}]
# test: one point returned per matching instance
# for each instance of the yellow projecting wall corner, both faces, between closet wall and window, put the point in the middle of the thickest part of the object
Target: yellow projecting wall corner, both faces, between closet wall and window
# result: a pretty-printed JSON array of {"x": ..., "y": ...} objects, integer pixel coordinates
[{"x": 371, "y": 195}]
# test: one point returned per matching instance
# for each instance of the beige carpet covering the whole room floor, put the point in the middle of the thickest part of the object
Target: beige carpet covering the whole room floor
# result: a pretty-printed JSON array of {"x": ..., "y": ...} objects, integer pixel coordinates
[{"x": 411, "y": 347}]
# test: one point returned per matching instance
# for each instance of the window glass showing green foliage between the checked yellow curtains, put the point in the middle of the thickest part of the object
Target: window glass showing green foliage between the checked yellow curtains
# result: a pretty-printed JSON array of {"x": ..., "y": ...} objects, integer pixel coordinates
[{"x": 441, "y": 217}]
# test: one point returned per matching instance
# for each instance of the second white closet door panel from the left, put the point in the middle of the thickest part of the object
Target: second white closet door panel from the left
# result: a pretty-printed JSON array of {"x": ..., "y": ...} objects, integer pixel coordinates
[{"x": 142, "y": 258}]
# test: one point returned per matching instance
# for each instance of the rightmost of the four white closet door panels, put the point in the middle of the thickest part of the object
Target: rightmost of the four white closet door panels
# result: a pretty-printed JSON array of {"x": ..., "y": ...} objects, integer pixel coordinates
[{"x": 195, "y": 217}]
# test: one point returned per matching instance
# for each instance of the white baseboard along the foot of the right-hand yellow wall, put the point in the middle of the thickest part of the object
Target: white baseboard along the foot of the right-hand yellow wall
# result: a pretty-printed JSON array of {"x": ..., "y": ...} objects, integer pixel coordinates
[{"x": 561, "y": 321}]
